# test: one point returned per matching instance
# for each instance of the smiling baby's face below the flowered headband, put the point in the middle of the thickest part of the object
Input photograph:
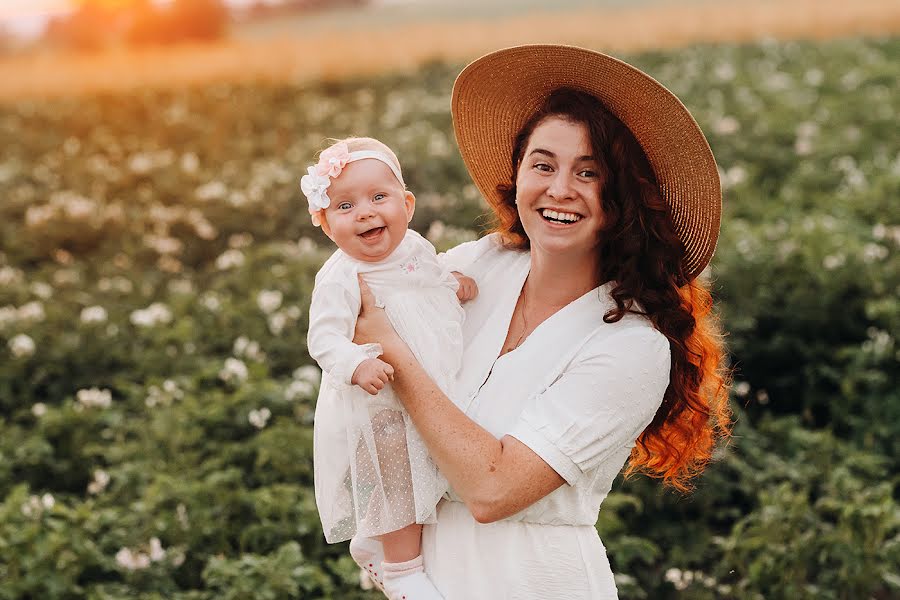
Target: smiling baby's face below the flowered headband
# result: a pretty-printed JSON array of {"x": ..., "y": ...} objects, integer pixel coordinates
[{"x": 369, "y": 210}]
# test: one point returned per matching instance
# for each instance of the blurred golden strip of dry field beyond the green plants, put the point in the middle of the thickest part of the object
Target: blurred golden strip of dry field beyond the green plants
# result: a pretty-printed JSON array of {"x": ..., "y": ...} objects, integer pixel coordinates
[{"x": 325, "y": 55}]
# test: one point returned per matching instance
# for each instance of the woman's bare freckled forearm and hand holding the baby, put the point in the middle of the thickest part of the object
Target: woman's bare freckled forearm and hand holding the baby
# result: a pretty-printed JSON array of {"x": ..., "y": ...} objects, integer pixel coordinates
[{"x": 495, "y": 478}]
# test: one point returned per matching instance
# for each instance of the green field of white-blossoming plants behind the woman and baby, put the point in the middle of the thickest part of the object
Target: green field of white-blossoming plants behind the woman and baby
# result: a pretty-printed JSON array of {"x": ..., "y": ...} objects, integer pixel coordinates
[{"x": 156, "y": 397}]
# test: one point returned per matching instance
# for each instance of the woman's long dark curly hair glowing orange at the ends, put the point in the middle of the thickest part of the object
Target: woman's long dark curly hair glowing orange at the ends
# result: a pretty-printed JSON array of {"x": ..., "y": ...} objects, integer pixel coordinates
[{"x": 639, "y": 250}]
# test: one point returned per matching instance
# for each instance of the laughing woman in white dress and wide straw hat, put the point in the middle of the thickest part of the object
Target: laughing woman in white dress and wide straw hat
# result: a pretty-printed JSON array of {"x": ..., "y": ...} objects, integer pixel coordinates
[{"x": 591, "y": 341}]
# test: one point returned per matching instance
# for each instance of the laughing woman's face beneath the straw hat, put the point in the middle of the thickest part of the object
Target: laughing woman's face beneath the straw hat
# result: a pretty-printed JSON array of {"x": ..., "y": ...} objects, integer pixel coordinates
[{"x": 558, "y": 189}]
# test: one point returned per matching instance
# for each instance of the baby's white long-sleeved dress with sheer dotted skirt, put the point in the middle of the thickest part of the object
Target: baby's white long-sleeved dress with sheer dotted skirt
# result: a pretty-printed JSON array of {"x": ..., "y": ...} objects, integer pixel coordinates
[{"x": 373, "y": 473}]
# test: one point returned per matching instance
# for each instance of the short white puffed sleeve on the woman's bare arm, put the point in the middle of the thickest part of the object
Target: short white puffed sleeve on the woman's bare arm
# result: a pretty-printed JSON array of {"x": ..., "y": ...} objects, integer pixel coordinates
[{"x": 602, "y": 403}]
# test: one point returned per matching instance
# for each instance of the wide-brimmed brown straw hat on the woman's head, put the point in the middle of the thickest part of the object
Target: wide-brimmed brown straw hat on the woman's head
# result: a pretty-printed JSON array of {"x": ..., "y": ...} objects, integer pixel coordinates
[{"x": 496, "y": 94}]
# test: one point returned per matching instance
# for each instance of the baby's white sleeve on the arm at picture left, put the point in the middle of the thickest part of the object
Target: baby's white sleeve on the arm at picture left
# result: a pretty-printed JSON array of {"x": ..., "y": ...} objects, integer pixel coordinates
[{"x": 332, "y": 321}]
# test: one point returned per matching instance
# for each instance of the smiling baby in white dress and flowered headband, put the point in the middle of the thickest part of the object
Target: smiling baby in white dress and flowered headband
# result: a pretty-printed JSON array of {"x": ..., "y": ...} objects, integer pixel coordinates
[{"x": 374, "y": 479}]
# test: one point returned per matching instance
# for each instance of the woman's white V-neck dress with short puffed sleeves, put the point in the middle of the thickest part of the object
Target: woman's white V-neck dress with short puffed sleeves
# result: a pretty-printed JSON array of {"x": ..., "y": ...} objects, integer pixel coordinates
[{"x": 578, "y": 392}]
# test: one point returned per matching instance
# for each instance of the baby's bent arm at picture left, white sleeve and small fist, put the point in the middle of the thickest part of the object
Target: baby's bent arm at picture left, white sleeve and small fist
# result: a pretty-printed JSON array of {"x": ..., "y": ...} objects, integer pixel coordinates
[{"x": 332, "y": 319}]
